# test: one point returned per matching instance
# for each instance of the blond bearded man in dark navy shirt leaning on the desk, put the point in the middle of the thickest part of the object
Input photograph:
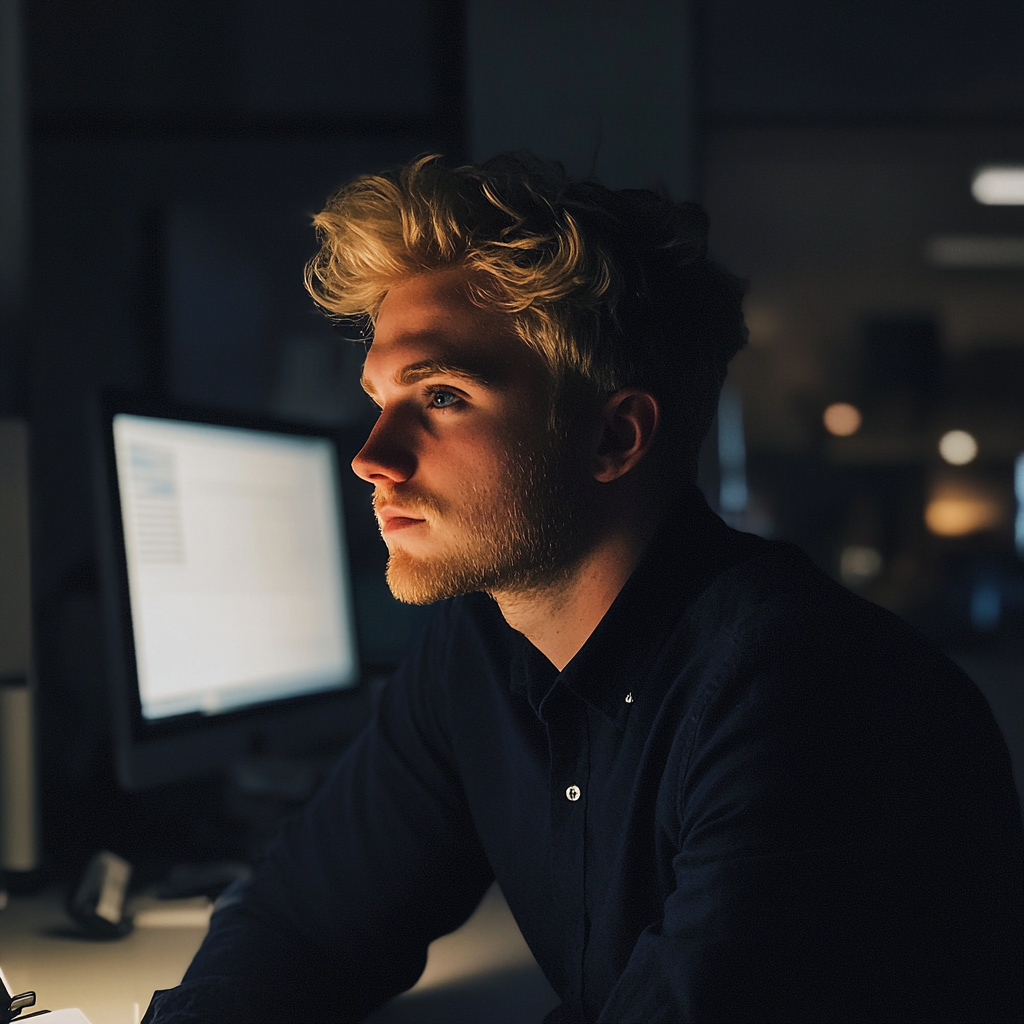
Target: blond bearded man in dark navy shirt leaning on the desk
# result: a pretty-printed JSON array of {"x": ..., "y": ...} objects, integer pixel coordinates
[{"x": 712, "y": 784}]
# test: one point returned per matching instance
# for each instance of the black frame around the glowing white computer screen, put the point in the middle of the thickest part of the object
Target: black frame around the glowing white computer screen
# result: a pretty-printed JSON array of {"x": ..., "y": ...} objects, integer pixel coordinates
[{"x": 143, "y": 744}]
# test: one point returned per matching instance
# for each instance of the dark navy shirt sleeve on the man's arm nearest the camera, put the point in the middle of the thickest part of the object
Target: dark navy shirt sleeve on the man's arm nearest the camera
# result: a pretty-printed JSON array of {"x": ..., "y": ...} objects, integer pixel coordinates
[{"x": 818, "y": 875}]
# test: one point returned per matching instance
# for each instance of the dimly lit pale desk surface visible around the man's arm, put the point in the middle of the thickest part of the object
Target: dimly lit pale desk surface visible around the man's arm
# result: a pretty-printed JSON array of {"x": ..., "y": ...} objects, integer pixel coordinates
[{"x": 482, "y": 974}]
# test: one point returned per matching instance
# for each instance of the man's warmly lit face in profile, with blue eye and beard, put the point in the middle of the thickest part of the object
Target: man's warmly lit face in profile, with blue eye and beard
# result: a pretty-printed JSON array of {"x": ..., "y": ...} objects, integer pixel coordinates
[{"x": 474, "y": 489}]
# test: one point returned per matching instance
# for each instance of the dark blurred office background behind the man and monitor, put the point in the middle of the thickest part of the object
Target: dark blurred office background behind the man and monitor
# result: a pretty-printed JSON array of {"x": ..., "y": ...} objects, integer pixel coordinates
[{"x": 162, "y": 161}]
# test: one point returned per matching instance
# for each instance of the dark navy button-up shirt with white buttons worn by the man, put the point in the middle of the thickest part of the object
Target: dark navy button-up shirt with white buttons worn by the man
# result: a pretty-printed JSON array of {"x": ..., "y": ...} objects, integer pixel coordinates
[{"x": 751, "y": 796}]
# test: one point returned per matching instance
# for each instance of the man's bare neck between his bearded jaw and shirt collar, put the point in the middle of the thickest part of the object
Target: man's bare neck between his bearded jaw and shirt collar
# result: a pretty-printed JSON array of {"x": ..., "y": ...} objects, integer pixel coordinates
[{"x": 560, "y": 619}]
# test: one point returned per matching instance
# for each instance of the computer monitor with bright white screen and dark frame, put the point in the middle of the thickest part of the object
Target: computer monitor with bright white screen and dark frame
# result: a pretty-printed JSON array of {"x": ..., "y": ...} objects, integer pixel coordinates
[{"x": 229, "y": 603}]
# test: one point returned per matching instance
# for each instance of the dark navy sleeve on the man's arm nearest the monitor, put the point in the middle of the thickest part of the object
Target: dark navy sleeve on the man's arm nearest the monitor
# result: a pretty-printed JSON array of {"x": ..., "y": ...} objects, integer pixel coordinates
[{"x": 338, "y": 916}]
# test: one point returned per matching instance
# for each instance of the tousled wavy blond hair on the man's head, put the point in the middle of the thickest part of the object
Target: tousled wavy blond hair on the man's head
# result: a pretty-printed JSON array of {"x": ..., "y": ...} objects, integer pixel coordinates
[{"x": 614, "y": 288}]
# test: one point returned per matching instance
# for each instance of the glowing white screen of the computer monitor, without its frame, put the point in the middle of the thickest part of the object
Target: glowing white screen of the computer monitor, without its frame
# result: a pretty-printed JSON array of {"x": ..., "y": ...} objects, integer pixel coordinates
[{"x": 237, "y": 575}]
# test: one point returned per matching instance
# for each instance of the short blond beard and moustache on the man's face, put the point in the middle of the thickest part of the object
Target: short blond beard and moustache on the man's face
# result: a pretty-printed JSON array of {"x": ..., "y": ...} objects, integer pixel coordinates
[{"x": 526, "y": 532}]
